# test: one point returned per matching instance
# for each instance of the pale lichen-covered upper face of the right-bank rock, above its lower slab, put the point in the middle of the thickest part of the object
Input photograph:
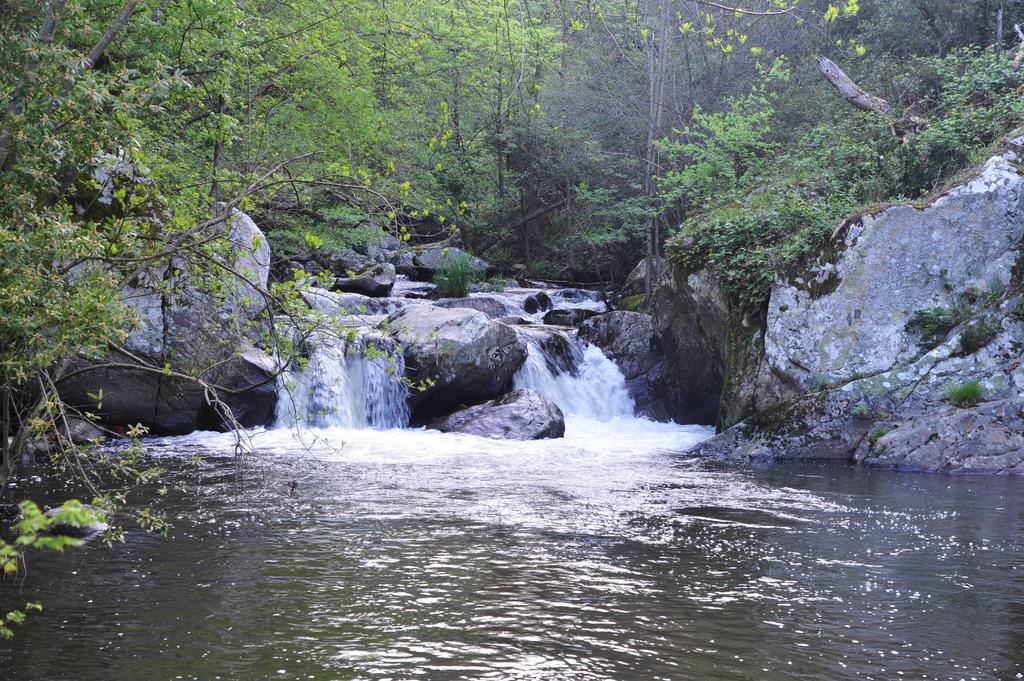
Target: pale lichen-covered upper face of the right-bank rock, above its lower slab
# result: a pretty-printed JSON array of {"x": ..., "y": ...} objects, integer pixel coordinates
[{"x": 851, "y": 316}]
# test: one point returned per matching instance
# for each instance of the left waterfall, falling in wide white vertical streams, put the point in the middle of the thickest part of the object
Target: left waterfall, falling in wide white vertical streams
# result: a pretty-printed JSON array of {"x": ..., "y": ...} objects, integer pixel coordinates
[{"x": 347, "y": 385}]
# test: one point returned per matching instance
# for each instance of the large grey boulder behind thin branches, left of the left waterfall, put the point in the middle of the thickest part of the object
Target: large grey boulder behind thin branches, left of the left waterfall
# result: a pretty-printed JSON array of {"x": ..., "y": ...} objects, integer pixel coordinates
[{"x": 183, "y": 329}]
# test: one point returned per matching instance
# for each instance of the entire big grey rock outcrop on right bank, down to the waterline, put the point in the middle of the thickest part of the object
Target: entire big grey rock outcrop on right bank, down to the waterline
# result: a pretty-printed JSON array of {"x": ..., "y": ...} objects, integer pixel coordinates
[{"x": 887, "y": 401}]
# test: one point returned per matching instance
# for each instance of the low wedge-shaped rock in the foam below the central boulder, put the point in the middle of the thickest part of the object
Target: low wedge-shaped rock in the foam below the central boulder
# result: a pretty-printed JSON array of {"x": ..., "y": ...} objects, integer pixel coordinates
[{"x": 522, "y": 415}]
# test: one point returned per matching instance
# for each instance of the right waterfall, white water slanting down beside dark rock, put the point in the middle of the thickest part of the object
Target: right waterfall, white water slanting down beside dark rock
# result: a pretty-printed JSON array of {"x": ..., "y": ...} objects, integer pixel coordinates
[{"x": 576, "y": 376}]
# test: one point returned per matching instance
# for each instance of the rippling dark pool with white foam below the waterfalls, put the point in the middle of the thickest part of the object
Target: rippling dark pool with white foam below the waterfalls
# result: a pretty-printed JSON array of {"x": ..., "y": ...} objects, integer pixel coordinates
[{"x": 609, "y": 556}]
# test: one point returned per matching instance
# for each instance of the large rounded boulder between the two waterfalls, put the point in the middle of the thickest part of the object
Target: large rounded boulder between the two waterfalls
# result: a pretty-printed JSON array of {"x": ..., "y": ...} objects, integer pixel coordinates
[{"x": 460, "y": 355}]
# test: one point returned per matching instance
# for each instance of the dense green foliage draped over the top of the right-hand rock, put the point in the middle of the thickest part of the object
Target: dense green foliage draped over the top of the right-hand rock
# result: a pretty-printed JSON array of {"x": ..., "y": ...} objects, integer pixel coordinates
[{"x": 757, "y": 221}]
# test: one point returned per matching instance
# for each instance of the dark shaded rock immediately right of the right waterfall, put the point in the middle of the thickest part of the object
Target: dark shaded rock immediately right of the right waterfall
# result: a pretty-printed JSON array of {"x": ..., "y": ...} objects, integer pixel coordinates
[{"x": 629, "y": 340}]
